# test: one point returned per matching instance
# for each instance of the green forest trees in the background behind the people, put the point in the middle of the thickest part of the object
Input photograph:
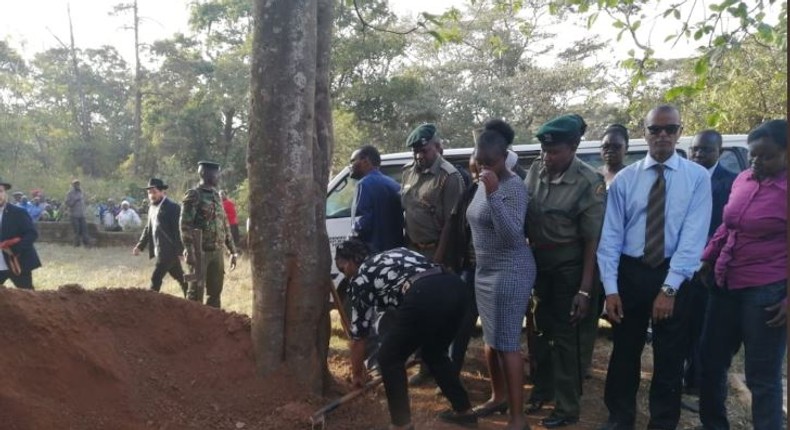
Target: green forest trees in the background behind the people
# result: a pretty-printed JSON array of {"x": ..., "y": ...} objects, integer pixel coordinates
[{"x": 69, "y": 112}]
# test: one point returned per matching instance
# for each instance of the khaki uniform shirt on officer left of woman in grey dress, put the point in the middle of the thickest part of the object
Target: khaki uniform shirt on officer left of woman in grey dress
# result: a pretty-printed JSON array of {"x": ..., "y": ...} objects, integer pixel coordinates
[{"x": 428, "y": 199}]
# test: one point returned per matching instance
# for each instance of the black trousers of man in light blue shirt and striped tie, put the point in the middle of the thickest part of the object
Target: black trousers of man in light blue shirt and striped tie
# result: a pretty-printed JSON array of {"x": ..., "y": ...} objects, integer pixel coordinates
[{"x": 638, "y": 287}]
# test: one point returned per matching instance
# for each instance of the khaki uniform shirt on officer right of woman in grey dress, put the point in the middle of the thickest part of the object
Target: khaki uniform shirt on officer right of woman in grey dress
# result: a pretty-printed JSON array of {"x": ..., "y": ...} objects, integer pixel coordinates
[{"x": 567, "y": 210}]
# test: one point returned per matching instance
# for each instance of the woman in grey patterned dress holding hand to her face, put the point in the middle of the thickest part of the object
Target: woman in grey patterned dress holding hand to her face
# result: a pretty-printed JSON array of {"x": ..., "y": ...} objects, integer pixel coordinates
[{"x": 505, "y": 270}]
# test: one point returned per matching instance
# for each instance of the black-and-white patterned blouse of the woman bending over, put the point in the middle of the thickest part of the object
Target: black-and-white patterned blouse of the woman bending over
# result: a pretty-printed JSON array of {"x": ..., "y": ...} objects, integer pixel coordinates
[{"x": 378, "y": 283}]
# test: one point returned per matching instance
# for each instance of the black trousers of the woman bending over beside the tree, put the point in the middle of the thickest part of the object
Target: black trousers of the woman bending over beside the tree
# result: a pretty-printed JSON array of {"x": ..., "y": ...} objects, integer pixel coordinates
[{"x": 429, "y": 317}]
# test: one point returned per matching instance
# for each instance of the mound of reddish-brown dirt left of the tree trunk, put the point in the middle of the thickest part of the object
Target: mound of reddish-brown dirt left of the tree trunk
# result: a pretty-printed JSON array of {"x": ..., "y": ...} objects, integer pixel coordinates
[{"x": 134, "y": 359}]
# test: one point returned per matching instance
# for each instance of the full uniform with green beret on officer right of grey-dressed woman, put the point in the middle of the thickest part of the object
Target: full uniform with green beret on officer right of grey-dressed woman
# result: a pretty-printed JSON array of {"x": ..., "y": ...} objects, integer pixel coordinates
[{"x": 564, "y": 213}]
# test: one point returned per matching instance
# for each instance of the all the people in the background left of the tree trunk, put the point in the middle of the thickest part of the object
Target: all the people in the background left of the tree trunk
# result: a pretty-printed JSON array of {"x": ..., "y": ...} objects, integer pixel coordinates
[{"x": 194, "y": 232}]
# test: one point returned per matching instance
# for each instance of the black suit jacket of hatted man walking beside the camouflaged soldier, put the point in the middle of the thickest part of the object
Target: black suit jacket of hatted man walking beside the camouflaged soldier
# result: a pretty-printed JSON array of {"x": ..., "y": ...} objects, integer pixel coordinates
[{"x": 168, "y": 235}]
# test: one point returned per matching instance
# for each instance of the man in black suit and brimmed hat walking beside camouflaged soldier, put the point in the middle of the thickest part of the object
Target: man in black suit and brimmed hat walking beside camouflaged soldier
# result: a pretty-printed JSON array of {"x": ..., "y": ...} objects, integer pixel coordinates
[{"x": 164, "y": 236}]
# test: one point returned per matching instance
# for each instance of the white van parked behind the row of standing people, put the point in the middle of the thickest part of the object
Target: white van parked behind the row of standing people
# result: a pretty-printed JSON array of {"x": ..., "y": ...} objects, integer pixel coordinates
[{"x": 342, "y": 188}]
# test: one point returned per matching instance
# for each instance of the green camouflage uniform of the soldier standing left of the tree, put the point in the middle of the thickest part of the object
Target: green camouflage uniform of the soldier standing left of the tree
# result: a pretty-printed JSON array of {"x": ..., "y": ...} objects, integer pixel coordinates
[{"x": 202, "y": 209}]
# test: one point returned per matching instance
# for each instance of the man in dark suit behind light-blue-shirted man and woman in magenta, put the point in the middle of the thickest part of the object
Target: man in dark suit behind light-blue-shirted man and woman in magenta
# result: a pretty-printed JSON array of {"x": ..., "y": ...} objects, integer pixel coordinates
[{"x": 705, "y": 150}]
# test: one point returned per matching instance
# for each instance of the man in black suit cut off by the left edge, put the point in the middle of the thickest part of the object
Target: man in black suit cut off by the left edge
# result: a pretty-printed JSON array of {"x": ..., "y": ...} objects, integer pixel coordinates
[{"x": 17, "y": 234}]
